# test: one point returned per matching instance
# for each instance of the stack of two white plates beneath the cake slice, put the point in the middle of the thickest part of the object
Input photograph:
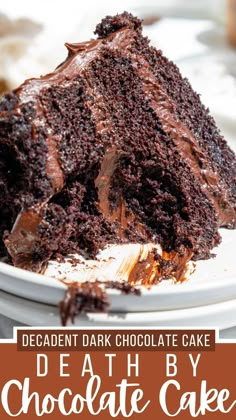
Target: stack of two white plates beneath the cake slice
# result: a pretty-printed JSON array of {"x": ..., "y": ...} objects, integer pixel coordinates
[{"x": 208, "y": 299}]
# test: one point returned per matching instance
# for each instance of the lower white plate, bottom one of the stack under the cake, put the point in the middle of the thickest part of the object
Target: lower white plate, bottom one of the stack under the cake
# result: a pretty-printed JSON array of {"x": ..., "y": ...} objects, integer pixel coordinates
[{"x": 221, "y": 315}]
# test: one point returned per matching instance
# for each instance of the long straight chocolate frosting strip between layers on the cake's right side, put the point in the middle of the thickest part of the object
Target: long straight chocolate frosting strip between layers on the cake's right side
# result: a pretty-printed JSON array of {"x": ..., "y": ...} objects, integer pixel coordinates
[{"x": 186, "y": 143}]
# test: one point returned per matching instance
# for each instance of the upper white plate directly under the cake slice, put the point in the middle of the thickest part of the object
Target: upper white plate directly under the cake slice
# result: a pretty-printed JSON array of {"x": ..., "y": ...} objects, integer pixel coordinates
[{"x": 214, "y": 281}]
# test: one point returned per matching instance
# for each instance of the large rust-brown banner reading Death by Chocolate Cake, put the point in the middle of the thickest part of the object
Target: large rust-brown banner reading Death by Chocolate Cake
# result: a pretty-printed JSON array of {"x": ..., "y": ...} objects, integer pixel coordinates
[{"x": 122, "y": 384}]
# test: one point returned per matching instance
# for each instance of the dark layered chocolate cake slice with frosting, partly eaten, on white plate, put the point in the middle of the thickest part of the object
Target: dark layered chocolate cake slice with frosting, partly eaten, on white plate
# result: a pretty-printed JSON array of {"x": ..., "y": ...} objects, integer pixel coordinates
[{"x": 112, "y": 147}]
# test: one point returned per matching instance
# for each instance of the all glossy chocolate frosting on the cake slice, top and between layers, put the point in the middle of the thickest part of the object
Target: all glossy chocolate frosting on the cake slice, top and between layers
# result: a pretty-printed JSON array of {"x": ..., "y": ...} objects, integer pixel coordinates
[{"x": 80, "y": 55}]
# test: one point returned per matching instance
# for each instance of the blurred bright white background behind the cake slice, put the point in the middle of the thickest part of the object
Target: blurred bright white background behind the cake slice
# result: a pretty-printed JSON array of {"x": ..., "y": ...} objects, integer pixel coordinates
[{"x": 199, "y": 35}]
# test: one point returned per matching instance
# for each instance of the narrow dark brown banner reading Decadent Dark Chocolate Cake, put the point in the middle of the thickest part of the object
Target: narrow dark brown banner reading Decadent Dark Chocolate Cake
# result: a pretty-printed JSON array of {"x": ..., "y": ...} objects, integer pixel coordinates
[{"x": 116, "y": 340}]
